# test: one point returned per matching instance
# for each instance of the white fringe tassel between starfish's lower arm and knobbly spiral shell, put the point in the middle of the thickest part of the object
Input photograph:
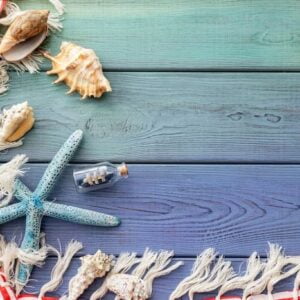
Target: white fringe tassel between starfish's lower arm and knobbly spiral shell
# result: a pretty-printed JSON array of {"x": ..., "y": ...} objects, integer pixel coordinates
[{"x": 60, "y": 267}]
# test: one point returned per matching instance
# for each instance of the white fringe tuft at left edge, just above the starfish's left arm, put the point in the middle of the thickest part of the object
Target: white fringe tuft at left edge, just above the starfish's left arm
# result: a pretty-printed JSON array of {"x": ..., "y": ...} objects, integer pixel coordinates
[{"x": 8, "y": 174}]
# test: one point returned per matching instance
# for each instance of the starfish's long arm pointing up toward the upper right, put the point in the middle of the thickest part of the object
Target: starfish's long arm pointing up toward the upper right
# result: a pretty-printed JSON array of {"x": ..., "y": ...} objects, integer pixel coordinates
[{"x": 57, "y": 164}]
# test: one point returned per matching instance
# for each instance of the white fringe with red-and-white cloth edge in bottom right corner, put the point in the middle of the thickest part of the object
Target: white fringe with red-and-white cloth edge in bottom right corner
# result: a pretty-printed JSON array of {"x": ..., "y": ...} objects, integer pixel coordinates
[{"x": 210, "y": 273}]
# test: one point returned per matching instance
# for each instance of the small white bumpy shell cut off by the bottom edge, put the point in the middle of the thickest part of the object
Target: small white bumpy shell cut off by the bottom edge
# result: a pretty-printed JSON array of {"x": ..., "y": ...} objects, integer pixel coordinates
[{"x": 127, "y": 287}]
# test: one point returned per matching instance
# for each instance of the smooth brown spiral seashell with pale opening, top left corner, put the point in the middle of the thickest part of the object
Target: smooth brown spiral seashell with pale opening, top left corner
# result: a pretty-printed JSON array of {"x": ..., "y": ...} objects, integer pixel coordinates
[{"x": 24, "y": 35}]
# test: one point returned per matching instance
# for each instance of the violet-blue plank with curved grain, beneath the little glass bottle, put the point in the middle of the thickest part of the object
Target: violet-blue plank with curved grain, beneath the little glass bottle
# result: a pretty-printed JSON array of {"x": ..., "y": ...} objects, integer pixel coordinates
[{"x": 235, "y": 208}]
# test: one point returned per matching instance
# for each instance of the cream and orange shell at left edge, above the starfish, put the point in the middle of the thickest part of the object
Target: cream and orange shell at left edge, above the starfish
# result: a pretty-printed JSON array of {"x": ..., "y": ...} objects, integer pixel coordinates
[{"x": 16, "y": 122}]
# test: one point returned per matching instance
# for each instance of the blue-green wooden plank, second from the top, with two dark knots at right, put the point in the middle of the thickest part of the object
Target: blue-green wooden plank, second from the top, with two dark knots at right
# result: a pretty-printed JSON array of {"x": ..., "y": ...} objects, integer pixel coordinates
[{"x": 167, "y": 117}]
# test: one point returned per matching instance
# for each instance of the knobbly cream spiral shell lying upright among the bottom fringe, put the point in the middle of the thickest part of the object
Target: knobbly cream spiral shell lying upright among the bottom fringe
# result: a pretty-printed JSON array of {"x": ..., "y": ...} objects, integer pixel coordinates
[{"x": 92, "y": 267}]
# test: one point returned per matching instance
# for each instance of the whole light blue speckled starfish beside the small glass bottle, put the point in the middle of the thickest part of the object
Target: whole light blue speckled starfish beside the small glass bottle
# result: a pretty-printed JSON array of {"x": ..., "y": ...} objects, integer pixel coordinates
[{"x": 34, "y": 206}]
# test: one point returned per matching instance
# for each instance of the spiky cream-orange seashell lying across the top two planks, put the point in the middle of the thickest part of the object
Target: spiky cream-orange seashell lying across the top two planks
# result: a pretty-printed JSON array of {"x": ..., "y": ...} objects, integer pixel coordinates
[{"x": 80, "y": 69}]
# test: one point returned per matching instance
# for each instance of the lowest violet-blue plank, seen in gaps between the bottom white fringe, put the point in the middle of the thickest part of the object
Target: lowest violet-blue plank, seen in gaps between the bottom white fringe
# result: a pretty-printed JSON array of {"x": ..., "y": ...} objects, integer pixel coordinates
[{"x": 162, "y": 286}]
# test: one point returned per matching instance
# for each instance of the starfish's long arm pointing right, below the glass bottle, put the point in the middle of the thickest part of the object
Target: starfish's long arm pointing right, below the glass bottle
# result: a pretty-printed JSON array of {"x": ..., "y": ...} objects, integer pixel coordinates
[{"x": 79, "y": 215}]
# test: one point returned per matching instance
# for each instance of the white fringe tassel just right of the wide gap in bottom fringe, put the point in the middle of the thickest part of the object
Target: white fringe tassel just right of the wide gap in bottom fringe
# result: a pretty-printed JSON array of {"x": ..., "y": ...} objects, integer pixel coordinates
[{"x": 200, "y": 272}]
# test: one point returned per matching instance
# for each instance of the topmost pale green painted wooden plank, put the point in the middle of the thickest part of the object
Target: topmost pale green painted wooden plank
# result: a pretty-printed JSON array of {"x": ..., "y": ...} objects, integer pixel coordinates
[{"x": 184, "y": 34}]
